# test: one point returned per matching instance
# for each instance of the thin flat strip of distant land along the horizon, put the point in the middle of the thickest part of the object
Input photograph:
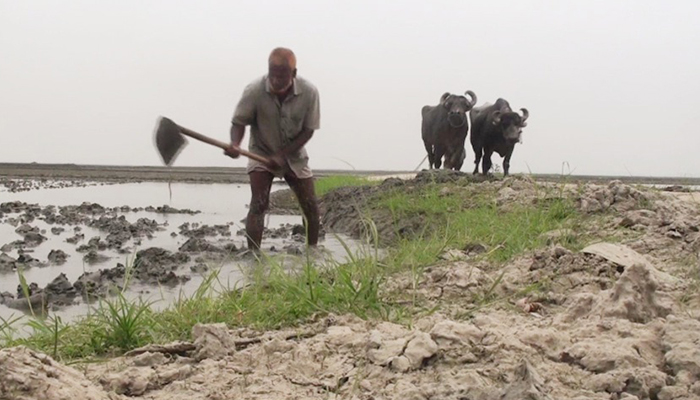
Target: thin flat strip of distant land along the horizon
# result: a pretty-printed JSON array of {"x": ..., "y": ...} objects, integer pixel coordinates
[{"x": 237, "y": 175}]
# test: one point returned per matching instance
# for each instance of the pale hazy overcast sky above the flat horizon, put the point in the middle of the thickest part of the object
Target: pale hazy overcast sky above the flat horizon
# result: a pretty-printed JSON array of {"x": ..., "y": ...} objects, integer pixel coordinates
[{"x": 613, "y": 87}]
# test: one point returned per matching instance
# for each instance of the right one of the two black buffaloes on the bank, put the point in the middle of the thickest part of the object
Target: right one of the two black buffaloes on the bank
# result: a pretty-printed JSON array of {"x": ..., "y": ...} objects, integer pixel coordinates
[{"x": 495, "y": 127}]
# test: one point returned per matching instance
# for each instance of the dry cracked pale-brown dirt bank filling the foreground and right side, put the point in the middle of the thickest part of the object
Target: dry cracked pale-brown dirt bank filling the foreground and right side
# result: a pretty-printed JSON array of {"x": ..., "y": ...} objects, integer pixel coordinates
[{"x": 619, "y": 319}]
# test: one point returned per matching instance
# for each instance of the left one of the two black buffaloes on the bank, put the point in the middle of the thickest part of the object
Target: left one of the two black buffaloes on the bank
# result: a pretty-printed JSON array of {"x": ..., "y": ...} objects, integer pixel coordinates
[{"x": 444, "y": 129}]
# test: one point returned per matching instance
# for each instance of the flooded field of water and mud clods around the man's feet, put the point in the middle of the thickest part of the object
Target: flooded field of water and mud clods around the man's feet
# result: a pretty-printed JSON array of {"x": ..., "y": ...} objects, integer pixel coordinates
[{"x": 73, "y": 241}]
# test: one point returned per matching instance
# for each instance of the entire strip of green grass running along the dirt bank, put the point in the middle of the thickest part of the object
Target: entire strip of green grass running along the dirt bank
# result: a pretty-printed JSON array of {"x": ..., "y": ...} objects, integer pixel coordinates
[{"x": 276, "y": 297}]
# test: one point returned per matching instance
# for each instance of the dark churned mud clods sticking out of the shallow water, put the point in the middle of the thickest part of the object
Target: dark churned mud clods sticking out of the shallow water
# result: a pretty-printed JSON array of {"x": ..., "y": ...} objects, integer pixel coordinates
[{"x": 151, "y": 266}]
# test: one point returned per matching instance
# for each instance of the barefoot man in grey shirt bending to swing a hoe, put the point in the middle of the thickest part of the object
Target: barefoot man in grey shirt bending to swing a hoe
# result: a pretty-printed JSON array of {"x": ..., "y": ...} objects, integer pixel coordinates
[{"x": 283, "y": 111}]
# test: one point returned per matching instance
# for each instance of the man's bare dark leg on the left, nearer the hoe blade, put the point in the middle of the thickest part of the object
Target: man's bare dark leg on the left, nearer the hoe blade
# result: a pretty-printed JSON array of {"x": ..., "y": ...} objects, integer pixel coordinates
[{"x": 260, "y": 184}]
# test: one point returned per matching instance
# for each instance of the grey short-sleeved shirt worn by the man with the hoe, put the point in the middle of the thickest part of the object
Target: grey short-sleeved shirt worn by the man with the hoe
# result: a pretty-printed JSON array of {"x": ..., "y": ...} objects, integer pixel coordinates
[{"x": 274, "y": 126}]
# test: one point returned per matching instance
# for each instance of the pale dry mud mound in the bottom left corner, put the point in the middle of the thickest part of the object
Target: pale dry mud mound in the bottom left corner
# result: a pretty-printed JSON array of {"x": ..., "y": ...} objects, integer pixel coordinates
[{"x": 29, "y": 375}]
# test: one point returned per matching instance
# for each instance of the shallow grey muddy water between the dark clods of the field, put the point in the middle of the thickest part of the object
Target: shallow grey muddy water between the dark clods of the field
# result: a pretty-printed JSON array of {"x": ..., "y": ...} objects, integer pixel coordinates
[{"x": 218, "y": 204}]
